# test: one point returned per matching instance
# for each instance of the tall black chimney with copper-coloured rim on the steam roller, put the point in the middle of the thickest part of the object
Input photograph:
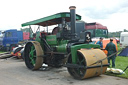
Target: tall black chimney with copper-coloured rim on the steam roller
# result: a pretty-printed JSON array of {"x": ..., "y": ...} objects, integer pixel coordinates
[{"x": 73, "y": 20}]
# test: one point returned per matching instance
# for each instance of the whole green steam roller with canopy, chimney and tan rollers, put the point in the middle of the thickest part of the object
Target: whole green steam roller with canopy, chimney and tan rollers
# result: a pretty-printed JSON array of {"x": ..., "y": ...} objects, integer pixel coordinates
[{"x": 67, "y": 45}]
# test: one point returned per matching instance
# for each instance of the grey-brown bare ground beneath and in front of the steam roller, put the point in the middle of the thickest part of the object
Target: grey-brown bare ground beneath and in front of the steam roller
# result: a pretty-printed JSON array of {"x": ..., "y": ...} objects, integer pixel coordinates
[{"x": 14, "y": 72}]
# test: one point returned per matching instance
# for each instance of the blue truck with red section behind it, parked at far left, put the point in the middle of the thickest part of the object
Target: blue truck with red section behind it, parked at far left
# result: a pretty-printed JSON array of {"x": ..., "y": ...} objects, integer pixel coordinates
[{"x": 10, "y": 38}]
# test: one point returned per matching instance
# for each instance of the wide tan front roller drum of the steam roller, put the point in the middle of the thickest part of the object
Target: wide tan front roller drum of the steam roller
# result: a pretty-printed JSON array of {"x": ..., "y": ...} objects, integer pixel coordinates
[{"x": 84, "y": 67}]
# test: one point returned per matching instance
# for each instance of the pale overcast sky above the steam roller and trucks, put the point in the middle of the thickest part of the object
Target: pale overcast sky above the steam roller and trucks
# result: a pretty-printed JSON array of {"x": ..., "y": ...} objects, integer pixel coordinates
[{"x": 111, "y": 13}]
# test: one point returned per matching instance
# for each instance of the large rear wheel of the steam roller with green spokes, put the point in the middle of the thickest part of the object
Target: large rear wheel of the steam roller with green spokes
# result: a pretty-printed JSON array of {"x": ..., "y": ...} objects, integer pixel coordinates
[{"x": 33, "y": 55}]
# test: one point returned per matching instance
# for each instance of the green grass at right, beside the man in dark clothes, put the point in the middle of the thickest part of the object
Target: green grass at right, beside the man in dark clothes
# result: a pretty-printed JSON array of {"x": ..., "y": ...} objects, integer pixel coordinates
[{"x": 121, "y": 63}]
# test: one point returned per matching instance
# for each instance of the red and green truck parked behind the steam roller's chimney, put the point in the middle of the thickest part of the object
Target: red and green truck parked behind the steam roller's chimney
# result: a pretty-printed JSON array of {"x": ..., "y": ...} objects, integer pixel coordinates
[{"x": 96, "y": 29}]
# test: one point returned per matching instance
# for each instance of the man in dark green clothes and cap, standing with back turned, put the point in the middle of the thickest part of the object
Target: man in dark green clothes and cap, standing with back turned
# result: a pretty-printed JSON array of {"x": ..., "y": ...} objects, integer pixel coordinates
[{"x": 111, "y": 48}]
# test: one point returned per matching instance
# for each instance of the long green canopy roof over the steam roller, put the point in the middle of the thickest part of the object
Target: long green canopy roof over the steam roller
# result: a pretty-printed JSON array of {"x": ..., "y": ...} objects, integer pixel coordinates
[{"x": 52, "y": 20}]
